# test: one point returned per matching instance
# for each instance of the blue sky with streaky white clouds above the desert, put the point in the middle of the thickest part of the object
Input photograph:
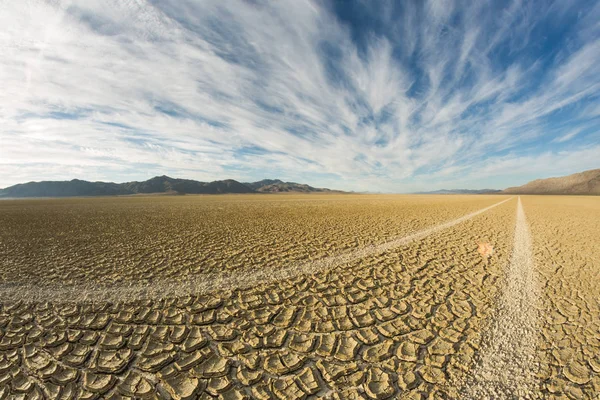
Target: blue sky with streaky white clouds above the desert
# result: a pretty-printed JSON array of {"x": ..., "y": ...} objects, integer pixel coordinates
[{"x": 393, "y": 96}]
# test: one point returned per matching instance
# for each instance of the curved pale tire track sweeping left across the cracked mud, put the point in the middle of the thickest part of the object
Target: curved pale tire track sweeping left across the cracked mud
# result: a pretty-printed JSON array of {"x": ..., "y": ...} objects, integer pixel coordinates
[{"x": 206, "y": 283}]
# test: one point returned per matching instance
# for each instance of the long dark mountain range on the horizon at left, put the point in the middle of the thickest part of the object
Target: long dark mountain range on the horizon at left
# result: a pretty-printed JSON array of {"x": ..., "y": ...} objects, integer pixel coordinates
[{"x": 156, "y": 185}]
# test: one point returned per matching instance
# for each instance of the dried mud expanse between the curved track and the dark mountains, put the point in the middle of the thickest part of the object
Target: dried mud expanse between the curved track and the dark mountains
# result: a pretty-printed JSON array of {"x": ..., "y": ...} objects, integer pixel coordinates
[{"x": 141, "y": 239}]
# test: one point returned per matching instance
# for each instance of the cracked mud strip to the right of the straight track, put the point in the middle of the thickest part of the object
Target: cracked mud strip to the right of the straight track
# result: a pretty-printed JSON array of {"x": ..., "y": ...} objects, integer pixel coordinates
[{"x": 566, "y": 232}]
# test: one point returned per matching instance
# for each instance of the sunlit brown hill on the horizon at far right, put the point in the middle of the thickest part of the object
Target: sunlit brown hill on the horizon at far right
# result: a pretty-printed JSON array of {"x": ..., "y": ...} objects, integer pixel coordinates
[{"x": 582, "y": 183}]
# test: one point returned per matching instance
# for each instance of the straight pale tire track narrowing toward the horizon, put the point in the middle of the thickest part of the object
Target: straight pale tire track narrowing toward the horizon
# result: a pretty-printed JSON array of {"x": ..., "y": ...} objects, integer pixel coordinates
[{"x": 506, "y": 365}]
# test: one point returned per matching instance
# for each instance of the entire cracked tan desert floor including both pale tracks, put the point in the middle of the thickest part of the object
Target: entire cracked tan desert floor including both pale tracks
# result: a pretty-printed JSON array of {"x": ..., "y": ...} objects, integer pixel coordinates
[{"x": 296, "y": 296}]
